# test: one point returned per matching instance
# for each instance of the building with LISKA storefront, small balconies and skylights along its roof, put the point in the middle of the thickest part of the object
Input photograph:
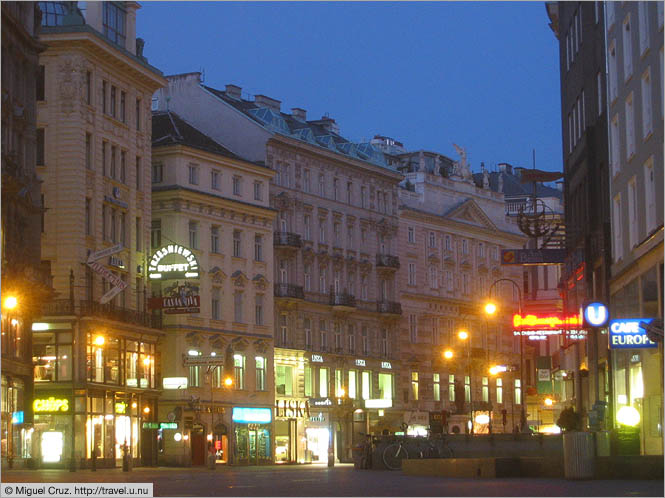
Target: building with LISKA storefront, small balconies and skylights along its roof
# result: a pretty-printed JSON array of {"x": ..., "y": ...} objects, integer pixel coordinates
[{"x": 336, "y": 312}]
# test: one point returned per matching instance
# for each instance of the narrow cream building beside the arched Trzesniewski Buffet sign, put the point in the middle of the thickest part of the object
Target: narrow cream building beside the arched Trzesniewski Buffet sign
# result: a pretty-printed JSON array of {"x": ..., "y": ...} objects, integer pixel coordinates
[{"x": 215, "y": 205}]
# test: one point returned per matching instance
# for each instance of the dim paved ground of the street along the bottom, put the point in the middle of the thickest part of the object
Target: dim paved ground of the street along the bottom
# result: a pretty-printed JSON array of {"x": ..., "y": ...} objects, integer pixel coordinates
[{"x": 342, "y": 480}]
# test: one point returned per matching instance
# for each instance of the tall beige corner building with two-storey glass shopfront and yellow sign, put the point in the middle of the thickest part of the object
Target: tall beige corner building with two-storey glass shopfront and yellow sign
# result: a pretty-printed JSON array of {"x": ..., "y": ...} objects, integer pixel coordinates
[{"x": 95, "y": 347}]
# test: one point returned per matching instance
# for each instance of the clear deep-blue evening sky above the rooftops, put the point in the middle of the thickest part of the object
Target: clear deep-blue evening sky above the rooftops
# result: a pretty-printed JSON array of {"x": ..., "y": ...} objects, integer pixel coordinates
[{"x": 484, "y": 75}]
